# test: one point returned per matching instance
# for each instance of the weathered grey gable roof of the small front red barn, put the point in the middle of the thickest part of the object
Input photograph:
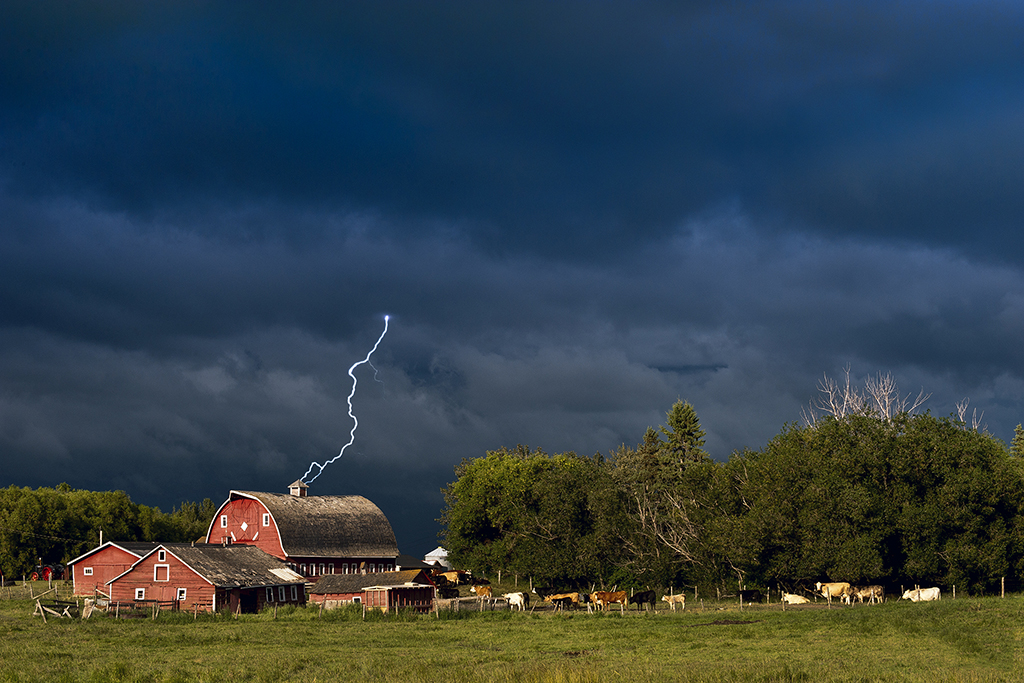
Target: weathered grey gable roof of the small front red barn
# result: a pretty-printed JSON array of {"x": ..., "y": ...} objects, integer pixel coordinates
[{"x": 235, "y": 567}]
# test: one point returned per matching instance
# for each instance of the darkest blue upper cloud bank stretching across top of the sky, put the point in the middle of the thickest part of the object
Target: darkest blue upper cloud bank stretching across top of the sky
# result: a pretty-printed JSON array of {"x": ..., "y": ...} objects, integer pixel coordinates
[{"x": 605, "y": 122}]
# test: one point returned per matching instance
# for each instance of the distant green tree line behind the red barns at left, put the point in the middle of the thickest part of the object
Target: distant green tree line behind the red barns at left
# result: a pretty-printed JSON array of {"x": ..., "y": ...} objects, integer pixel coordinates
[{"x": 58, "y": 525}]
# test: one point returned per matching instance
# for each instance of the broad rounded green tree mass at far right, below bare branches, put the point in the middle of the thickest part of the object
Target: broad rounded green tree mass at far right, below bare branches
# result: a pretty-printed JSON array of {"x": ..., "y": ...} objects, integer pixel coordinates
[{"x": 868, "y": 499}]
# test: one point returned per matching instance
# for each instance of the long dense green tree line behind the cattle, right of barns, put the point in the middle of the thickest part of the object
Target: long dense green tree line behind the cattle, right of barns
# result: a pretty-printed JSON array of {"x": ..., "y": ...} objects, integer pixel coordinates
[{"x": 863, "y": 496}]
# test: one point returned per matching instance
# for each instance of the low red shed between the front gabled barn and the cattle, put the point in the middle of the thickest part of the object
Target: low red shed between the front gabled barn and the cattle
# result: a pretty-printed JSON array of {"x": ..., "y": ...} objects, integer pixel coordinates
[{"x": 389, "y": 590}]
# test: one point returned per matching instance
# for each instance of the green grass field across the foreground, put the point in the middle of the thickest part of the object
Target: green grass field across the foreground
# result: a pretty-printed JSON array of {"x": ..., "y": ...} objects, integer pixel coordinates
[{"x": 966, "y": 639}]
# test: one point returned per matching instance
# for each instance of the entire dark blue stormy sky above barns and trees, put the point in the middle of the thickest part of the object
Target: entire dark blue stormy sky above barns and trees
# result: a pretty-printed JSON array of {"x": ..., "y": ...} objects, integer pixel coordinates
[{"x": 574, "y": 212}]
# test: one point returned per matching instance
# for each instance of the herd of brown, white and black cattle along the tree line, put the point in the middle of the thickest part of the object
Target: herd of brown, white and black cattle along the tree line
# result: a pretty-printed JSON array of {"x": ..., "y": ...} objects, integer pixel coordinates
[{"x": 448, "y": 583}]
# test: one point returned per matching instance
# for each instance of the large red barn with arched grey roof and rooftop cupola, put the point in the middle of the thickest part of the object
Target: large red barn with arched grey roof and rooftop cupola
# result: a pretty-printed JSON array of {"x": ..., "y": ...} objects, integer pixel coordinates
[{"x": 315, "y": 535}]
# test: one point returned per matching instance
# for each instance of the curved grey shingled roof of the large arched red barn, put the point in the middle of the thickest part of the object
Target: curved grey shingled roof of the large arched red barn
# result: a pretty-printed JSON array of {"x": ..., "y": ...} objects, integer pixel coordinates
[{"x": 328, "y": 526}]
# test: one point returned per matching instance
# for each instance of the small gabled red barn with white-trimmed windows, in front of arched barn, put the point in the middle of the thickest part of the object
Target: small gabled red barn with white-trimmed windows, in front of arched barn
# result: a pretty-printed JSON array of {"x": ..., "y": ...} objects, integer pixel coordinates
[{"x": 242, "y": 579}]
